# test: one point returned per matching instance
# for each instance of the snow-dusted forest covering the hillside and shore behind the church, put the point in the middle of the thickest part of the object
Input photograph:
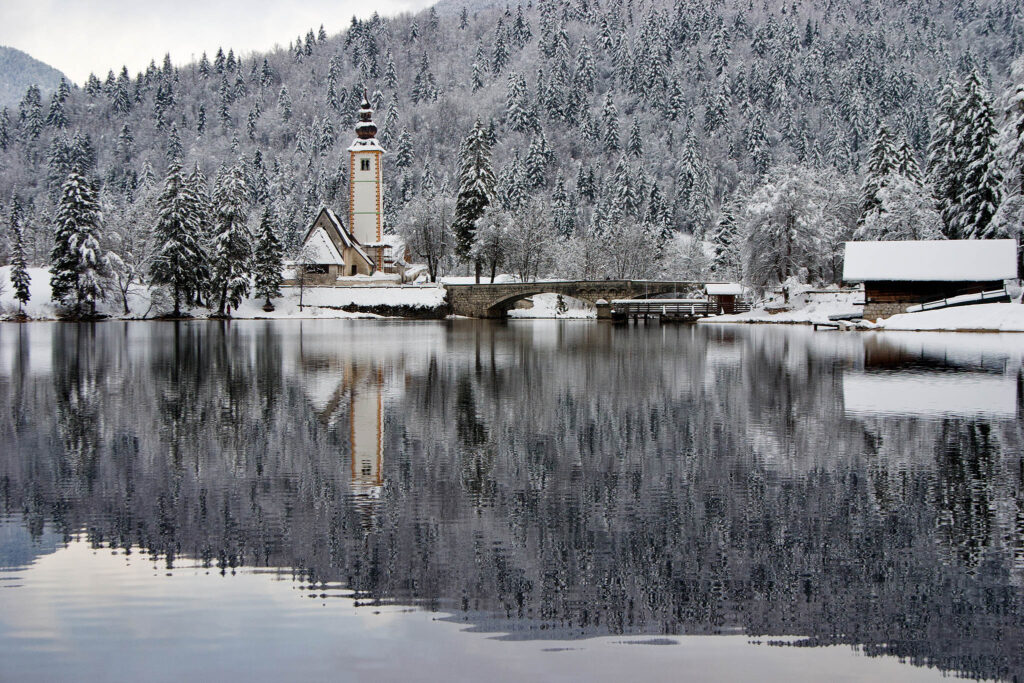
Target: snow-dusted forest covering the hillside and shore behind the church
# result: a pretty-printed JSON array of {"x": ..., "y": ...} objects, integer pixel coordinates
[{"x": 575, "y": 139}]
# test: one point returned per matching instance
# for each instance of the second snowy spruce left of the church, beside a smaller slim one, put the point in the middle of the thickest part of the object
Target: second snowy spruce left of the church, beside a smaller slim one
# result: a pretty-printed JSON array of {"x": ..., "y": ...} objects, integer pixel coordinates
[{"x": 233, "y": 246}]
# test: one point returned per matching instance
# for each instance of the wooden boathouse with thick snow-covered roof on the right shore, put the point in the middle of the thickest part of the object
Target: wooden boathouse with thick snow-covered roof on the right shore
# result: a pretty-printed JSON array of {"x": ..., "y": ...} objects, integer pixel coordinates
[{"x": 900, "y": 275}]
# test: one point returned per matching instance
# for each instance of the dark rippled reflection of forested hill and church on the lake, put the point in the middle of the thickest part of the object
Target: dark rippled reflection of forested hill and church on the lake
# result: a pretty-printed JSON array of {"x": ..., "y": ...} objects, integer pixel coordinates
[{"x": 558, "y": 480}]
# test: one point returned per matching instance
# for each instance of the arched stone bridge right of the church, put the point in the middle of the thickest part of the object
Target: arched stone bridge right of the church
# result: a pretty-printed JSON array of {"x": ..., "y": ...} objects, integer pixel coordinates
[{"x": 495, "y": 301}]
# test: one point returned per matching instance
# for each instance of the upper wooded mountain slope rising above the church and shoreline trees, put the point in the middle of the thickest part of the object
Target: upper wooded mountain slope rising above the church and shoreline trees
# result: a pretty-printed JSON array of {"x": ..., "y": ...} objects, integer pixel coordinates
[{"x": 608, "y": 112}]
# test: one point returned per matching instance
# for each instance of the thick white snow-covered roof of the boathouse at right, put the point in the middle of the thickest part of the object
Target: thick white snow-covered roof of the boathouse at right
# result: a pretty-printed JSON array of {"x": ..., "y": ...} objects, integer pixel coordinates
[{"x": 931, "y": 261}]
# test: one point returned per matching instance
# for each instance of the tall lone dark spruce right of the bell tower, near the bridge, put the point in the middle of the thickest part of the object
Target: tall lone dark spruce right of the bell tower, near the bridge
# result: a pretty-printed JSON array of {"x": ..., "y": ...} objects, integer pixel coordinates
[{"x": 477, "y": 191}]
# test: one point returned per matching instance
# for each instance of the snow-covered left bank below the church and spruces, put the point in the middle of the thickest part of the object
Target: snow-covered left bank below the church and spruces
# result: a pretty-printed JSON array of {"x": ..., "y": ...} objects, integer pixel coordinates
[{"x": 318, "y": 303}]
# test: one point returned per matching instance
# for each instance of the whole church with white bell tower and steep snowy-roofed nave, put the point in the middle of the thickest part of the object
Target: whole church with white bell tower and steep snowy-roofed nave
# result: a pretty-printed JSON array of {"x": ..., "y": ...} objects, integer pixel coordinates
[{"x": 333, "y": 252}]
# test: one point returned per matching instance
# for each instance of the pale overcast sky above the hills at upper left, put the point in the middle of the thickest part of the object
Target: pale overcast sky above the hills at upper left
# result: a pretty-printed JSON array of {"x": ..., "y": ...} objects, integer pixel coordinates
[{"x": 83, "y": 36}]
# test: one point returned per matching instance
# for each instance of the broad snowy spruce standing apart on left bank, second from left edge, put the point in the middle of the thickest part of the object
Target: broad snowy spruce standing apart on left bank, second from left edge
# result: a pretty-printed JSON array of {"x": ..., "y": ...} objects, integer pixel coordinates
[{"x": 78, "y": 265}]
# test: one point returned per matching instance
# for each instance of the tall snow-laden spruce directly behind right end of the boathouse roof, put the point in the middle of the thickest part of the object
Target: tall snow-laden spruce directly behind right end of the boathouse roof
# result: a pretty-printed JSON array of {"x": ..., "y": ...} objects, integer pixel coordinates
[{"x": 977, "y": 144}]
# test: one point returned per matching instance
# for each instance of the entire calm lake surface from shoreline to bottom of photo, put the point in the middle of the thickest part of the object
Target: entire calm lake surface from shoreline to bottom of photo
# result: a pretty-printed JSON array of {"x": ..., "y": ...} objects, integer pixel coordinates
[{"x": 466, "y": 500}]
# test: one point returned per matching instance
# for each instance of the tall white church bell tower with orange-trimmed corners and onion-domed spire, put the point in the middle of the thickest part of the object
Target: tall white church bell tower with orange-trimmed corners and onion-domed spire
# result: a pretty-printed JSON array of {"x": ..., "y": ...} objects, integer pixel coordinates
[{"x": 366, "y": 191}]
